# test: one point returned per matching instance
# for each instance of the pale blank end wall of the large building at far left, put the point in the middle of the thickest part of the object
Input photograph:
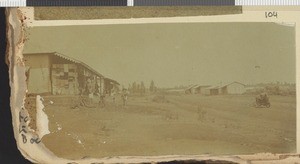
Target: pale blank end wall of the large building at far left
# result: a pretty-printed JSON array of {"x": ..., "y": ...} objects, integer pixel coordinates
[{"x": 38, "y": 73}]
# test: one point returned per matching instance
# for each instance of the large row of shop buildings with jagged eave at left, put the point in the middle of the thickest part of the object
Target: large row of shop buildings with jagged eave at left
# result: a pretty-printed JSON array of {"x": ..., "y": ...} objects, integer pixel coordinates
[{"x": 57, "y": 74}]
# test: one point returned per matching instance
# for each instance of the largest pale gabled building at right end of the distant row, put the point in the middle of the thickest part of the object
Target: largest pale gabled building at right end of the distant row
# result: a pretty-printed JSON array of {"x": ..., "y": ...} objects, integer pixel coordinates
[{"x": 231, "y": 88}]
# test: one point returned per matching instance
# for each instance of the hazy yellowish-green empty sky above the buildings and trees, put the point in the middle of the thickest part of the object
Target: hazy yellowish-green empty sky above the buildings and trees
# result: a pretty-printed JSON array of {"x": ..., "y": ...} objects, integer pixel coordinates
[{"x": 176, "y": 54}]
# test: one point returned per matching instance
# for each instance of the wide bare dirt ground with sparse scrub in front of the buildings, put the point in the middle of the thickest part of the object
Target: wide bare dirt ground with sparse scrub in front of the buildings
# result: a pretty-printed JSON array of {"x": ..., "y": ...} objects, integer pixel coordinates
[{"x": 179, "y": 124}]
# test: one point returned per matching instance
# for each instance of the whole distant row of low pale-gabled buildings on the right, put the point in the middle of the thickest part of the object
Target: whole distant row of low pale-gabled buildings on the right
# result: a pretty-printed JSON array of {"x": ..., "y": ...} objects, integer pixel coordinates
[{"x": 230, "y": 88}]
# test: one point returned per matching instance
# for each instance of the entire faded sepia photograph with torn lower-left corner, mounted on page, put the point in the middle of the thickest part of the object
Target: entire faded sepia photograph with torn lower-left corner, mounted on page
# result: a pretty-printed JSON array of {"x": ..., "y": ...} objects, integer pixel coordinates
[{"x": 152, "y": 89}]
